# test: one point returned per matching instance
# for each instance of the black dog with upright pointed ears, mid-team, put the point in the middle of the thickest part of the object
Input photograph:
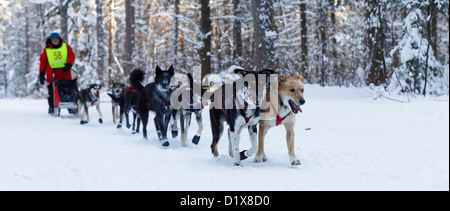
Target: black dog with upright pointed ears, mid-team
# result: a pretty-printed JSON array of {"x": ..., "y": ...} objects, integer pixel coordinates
[{"x": 156, "y": 98}]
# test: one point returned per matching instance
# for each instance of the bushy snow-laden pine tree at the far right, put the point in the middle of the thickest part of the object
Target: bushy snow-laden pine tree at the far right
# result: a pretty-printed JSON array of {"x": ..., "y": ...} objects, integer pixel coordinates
[{"x": 420, "y": 72}]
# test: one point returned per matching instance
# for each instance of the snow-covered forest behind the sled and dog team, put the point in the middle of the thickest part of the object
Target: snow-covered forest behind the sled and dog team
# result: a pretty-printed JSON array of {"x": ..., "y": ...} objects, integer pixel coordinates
[{"x": 399, "y": 46}]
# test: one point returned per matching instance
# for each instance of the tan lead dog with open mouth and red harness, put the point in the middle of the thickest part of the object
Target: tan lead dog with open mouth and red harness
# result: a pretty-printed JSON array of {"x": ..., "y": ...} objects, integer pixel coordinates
[{"x": 290, "y": 93}]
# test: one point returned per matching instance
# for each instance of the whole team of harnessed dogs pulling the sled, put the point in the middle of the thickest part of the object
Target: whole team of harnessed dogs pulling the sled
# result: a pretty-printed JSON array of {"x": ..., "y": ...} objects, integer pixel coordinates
[{"x": 257, "y": 102}]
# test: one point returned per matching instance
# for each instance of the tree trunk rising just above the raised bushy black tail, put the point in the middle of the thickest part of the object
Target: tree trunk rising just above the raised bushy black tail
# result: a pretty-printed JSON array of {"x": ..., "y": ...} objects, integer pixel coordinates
[{"x": 129, "y": 36}]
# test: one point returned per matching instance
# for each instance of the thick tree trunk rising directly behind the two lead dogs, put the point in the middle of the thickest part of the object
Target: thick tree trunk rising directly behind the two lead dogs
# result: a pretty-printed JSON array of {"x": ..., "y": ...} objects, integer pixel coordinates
[{"x": 265, "y": 33}]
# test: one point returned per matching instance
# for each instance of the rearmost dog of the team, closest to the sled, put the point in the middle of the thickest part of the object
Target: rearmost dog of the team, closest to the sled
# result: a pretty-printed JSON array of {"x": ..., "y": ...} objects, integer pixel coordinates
[{"x": 87, "y": 98}]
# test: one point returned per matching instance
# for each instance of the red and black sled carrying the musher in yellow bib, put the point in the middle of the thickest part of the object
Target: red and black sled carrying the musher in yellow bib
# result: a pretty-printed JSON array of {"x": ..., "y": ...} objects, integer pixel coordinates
[{"x": 65, "y": 95}]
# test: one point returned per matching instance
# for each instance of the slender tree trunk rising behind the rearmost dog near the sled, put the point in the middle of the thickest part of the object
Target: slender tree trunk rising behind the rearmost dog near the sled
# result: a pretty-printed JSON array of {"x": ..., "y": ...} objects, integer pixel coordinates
[{"x": 100, "y": 39}]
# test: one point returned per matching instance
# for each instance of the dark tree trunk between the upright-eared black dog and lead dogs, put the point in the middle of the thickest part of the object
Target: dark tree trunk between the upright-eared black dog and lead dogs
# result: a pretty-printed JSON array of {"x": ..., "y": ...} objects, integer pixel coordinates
[{"x": 206, "y": 28}]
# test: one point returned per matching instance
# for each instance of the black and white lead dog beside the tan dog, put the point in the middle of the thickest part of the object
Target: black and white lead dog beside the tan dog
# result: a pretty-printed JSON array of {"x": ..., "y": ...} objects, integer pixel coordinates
[{"x": 240, "y": 109}]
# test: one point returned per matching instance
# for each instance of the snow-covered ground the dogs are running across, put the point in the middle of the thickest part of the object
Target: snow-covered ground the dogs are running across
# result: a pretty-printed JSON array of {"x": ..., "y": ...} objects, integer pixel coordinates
[{"x": 355, "y": 143}]
